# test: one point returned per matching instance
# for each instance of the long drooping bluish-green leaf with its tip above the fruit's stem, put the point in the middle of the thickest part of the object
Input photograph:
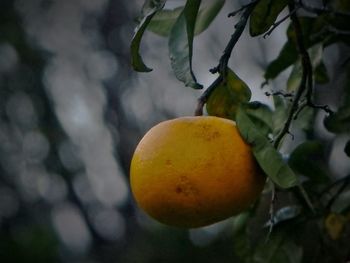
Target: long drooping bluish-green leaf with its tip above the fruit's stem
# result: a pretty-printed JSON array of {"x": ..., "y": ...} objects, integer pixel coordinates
[{"x": 181, "y": 44}]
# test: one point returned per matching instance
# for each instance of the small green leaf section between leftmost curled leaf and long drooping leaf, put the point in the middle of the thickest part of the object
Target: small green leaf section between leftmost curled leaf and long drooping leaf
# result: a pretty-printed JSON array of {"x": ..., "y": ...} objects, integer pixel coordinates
[{"x": 164, "y": 20}]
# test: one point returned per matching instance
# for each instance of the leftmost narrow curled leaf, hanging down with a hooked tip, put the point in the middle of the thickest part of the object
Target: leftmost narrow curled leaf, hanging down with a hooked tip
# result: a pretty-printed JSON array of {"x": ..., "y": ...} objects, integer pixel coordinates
[{"x": 149, "y": 9}]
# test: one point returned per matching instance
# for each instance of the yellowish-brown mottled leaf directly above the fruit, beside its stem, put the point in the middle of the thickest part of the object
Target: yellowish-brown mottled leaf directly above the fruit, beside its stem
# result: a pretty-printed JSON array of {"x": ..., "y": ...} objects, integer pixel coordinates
[{"x": 227, "y": 96}]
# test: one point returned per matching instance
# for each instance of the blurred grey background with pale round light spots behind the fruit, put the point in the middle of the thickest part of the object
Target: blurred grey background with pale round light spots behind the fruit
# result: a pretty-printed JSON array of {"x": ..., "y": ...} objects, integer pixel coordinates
[{"x": 71, "y": 113}]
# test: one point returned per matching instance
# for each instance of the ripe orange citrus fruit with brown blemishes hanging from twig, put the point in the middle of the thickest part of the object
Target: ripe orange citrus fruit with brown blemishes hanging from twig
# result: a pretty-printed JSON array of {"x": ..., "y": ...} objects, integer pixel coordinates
[{"x": 194, "y": 171}]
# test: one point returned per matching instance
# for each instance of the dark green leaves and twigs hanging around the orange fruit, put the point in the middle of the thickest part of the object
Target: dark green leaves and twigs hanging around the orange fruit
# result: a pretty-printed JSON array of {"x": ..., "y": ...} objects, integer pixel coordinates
[{"x": 301, "y": 178}]
